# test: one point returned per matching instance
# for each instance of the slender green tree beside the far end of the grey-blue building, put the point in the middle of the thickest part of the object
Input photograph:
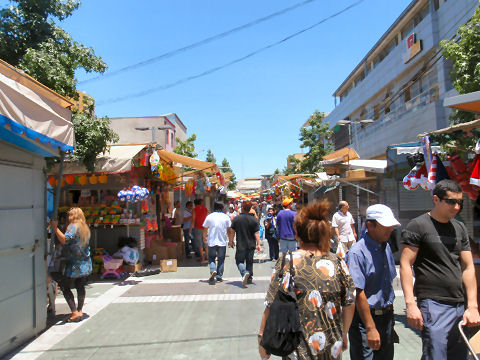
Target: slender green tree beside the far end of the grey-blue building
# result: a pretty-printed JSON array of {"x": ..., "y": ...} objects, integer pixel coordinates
[{"x": 315, "y": 137}]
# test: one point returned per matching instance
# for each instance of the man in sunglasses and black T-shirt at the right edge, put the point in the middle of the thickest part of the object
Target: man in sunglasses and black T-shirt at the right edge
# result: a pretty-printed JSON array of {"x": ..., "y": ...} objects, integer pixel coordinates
[{"x": 437, "y": 247}]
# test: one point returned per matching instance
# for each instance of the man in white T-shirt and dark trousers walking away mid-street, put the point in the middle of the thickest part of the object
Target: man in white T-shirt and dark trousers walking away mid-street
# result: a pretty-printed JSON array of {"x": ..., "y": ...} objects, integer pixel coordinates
[{"x": 215, "y": 226}]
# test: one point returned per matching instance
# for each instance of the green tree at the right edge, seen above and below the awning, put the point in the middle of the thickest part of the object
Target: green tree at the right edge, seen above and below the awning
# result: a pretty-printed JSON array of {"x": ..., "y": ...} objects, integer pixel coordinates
[{"x": 464, "y": 52}]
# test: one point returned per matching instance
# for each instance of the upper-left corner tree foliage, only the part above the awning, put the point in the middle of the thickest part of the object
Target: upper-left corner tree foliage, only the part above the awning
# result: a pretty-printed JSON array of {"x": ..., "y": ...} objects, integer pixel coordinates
[{"x": 31, "y": 41}]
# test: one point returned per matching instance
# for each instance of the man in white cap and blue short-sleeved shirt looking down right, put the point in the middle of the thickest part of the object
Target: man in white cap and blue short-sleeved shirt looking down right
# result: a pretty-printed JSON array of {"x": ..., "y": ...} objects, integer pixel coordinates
[{"x": 372, "y": 268}]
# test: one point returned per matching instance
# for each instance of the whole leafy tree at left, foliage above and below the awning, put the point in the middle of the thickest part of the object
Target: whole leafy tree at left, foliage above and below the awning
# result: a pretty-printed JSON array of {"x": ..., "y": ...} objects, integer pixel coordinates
[{"x": 31, "y": 40}]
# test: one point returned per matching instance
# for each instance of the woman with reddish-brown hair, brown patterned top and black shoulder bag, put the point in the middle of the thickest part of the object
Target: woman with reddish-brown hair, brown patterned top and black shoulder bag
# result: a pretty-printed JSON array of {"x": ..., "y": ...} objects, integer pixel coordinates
[{"x": 325, "y": 289}]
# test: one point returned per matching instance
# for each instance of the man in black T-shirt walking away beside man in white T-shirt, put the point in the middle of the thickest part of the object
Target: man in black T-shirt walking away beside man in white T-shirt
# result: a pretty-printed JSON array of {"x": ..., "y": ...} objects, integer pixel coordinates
[{"x": 245, "y": 228}]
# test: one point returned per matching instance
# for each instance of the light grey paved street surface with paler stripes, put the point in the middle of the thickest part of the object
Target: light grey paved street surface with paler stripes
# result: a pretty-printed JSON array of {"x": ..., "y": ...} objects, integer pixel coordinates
[{"x": 175, "y": 316}]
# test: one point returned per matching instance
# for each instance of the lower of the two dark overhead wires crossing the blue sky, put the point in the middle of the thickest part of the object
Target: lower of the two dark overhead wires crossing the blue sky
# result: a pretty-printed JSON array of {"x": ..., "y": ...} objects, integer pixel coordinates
[{"x": 233, "y": 62}]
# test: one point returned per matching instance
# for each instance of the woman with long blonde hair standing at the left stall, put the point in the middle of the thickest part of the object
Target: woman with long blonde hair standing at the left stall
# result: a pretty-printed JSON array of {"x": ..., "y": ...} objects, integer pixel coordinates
[{"x": 78, "y": 264}]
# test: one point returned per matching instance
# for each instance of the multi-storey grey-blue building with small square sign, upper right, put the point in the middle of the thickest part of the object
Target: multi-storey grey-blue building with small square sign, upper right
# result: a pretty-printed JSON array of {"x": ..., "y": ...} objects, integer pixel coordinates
[{"x": 402, "y": 81}]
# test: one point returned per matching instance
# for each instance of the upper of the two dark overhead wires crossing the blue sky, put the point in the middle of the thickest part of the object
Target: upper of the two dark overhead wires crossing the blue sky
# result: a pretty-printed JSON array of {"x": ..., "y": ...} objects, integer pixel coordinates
[{"x": 196, "y": 44}]
